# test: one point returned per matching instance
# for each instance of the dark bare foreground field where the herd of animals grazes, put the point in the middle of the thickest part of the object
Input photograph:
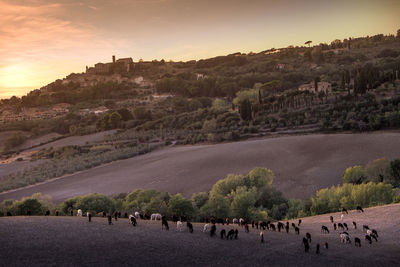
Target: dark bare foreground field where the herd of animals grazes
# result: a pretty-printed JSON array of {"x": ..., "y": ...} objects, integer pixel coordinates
[{"x": 73, "y": 241}]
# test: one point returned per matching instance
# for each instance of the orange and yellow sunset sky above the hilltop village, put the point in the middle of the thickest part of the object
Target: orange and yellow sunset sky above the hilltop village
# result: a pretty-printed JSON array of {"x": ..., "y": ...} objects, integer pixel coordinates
[{"x": 43, "y": 40}]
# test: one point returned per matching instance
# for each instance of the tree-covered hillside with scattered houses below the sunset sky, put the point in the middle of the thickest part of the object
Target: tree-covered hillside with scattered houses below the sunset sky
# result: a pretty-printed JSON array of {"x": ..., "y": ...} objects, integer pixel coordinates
[{"x": 349, "y": 84}]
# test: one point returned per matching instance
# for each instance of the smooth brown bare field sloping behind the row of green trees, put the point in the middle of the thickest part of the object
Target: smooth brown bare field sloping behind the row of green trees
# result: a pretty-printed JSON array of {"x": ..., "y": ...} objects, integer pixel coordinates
[{"x": 302, "y": 164}]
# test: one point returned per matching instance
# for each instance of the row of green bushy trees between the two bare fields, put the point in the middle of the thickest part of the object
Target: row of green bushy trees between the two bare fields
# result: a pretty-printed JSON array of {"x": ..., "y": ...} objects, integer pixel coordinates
[{"x": 250, "y": 196}]
